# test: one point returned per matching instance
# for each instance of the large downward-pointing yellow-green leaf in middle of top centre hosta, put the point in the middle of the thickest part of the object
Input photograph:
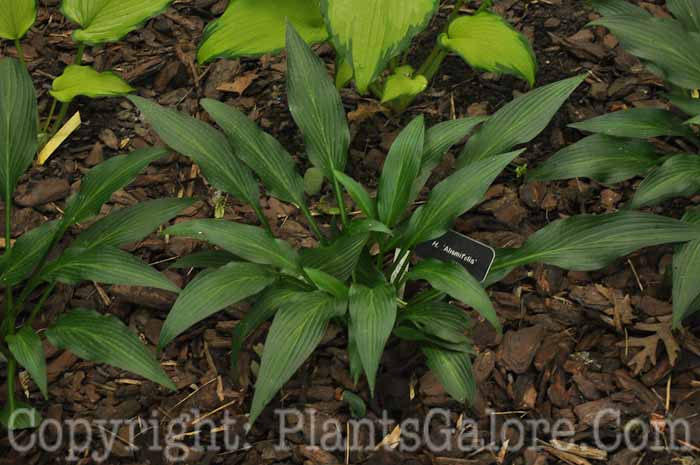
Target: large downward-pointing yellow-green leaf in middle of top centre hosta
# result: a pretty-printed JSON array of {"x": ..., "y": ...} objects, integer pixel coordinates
[{"x": 369, "y": 33}]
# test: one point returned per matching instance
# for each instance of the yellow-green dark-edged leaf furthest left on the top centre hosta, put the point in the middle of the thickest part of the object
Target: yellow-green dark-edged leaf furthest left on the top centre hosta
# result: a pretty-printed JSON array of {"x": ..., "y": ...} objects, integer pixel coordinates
[{"x": 256, "y": 27}]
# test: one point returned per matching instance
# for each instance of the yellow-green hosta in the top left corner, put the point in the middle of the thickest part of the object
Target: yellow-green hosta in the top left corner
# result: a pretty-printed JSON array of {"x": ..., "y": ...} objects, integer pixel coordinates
[{"x": 99, "y": 22}]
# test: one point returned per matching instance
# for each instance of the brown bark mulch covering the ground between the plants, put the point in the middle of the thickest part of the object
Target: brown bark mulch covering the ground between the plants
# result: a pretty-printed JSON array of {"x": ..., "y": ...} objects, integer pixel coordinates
[{"x": 574, "y": 343}]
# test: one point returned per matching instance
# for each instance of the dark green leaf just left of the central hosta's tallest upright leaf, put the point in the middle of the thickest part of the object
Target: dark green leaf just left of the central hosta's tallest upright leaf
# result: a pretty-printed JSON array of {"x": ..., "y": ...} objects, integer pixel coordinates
[{"x": 260, "y": 151}]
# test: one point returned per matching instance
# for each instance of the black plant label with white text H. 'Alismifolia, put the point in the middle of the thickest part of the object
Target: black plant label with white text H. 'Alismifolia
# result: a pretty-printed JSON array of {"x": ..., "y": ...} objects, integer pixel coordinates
[{"x": 474, "y": 256}]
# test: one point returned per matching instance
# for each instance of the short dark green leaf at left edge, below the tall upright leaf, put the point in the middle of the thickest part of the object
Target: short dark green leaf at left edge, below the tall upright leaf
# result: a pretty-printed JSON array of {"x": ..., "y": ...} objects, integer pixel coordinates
[{"x": 26, "y": 254}]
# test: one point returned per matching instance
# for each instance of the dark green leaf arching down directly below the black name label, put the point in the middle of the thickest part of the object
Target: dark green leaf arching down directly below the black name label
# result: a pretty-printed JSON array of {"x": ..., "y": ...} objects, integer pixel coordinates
[{"x": 455, "y": 281}]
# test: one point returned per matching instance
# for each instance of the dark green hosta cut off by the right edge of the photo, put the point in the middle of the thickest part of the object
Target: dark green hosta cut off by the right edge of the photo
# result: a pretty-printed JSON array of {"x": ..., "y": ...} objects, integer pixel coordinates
[{"x": 619, "y": 147}]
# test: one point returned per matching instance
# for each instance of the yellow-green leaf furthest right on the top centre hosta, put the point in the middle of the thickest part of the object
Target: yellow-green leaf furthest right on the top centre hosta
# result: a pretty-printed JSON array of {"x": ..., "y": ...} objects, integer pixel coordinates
[{"x": 488, "y": 42}]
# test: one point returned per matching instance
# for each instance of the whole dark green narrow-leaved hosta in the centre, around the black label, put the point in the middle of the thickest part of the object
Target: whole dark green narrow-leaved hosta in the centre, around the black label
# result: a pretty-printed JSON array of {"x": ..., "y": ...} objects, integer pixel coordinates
[{"x": 355, "y": 277}]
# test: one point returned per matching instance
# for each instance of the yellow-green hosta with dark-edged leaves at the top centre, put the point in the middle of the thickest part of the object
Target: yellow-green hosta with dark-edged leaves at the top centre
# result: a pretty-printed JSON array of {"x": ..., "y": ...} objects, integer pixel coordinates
[{"x": 371, "y": 39}]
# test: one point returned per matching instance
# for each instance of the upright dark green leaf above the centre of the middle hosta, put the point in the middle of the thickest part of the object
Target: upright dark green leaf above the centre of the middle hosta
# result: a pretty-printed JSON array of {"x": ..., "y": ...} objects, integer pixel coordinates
[{"x": 400, "y": 171}]
